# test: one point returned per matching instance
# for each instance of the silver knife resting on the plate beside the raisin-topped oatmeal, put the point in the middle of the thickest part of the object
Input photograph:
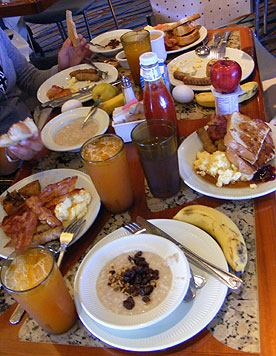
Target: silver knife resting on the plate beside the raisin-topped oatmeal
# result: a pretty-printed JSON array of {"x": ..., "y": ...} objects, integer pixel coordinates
[{"x": 232, "y": 281}]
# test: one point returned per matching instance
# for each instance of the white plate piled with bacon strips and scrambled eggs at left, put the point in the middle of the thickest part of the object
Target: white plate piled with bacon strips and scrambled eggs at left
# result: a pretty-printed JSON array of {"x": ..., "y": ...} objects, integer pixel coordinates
[{"x": 37, "y": 208}]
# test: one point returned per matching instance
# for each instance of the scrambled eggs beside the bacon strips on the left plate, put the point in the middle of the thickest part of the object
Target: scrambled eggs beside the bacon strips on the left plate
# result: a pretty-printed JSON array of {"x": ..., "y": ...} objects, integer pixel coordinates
[{"x": 72, "y": 207}]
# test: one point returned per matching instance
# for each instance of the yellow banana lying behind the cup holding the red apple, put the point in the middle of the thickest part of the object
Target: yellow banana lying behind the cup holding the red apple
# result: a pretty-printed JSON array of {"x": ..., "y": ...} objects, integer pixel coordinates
[{"x": 207, "y": 98}]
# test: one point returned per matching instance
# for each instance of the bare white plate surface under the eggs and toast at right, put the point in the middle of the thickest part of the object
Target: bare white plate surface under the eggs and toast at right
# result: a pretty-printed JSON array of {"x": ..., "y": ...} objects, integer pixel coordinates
[{"x": 187, "y": 152}]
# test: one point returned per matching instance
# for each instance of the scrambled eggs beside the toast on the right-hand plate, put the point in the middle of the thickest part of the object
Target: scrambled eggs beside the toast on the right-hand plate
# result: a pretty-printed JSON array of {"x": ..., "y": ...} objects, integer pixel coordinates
[{"x": 218, "y": 166}]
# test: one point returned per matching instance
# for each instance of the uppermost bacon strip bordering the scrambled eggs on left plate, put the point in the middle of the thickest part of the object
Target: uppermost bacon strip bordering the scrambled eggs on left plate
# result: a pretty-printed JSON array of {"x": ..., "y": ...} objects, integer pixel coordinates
[{"x": 60, "y": 188}]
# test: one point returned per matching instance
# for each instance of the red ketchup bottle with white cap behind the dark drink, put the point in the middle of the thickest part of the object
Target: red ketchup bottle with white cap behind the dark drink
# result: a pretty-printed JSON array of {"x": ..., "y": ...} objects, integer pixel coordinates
[{"x": 158, "y": 102}]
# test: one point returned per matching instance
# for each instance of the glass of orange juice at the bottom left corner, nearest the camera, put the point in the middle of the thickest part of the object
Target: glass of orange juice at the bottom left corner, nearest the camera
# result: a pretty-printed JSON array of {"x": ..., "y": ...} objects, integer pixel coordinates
[{"x": 32, "y": 277}]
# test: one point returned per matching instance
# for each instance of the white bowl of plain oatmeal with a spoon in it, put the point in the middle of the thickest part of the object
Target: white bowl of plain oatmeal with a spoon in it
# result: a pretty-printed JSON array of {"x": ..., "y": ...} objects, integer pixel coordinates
[{"x": 65, "y": 132}]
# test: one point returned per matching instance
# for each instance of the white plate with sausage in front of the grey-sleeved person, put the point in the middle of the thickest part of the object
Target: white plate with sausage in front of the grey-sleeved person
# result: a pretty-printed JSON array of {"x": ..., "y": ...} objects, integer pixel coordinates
[{"x": 73, "y": 79}]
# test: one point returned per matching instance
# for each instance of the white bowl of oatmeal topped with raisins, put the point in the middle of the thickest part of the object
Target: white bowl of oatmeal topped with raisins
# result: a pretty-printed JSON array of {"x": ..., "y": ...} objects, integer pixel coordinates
[{"x": 123, "y": 292}]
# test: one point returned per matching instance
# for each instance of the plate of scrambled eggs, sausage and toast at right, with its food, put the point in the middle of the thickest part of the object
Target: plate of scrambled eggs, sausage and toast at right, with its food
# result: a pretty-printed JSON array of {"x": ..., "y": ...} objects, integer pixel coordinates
[{"x": 220, "y": 161}]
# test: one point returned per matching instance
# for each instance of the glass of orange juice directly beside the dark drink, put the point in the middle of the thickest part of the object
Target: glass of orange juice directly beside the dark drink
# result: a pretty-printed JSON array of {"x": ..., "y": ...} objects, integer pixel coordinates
[{"x": 105, "y": 160}]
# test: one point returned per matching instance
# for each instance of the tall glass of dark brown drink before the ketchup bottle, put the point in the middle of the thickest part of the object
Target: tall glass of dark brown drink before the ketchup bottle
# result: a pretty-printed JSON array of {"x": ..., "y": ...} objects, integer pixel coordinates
[{"x": 156, "y": 144}]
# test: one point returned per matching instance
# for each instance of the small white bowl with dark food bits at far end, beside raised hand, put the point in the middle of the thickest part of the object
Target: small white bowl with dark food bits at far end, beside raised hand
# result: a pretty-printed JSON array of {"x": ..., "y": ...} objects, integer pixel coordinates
[{"x": 108, "y": 44}]
